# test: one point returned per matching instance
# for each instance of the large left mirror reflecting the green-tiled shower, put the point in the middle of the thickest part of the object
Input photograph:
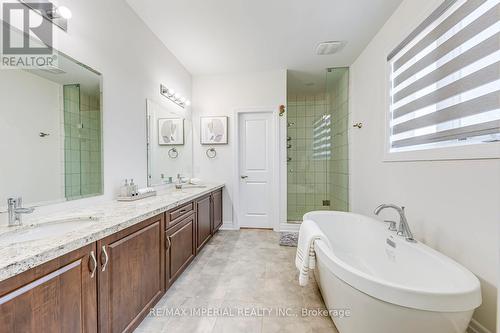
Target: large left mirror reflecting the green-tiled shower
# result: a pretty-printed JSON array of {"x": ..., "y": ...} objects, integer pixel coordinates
[{"x": 50, "y": 133}]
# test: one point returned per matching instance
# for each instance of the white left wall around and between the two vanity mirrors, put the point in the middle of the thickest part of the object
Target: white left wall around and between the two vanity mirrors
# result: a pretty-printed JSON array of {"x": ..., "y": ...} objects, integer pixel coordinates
[{"x": 109, "y": 37}]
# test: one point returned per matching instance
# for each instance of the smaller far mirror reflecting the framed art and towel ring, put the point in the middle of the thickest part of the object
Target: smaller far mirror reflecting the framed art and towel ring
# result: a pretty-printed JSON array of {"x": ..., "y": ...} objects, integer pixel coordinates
[{"x": 169, "y": 143}]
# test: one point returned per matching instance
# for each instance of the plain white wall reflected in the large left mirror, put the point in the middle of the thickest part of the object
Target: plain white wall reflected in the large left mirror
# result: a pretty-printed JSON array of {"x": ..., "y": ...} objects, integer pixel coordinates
[{"x": 31, "y": 166}]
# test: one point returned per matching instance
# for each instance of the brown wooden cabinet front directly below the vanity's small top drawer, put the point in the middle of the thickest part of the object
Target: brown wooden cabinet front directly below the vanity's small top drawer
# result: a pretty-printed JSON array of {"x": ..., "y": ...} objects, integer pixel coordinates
[{"x": 181, "y": 247}]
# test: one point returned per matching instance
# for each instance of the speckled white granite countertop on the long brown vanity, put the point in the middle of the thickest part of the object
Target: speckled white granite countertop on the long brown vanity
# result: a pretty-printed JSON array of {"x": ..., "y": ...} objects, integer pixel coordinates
[{"x": 111, "y": 217}]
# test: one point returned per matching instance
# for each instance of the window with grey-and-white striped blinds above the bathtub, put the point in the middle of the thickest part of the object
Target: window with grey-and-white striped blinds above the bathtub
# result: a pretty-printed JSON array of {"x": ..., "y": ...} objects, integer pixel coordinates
[{"x": 445, "y": 79}]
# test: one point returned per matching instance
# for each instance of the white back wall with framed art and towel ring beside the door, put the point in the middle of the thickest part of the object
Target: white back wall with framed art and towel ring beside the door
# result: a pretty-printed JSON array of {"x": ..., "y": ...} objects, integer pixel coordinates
[{"x": 219, "y": 96}]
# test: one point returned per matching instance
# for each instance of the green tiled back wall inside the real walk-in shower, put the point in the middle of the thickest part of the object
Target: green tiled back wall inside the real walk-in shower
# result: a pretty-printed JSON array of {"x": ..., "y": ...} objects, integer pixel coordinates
[{"x": 307, "y": 179}]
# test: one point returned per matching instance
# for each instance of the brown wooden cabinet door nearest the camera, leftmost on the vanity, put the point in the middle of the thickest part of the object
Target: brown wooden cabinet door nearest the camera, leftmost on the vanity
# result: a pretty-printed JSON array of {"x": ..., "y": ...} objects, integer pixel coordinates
[{"x": 58, "y": 296}]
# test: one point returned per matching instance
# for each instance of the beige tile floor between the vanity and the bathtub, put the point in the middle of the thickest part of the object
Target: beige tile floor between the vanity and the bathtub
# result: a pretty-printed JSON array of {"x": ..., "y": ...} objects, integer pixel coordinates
[{"x": 244, "y": 282}]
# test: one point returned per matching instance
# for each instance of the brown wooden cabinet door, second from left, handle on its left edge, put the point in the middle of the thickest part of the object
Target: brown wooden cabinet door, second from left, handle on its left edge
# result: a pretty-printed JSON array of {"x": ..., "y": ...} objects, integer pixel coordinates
[{"x": 131, "y": 275}]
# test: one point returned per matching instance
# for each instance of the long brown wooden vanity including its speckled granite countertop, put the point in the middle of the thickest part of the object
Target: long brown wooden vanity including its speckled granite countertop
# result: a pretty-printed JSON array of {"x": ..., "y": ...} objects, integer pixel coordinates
[{"x": 105, "y": 277}]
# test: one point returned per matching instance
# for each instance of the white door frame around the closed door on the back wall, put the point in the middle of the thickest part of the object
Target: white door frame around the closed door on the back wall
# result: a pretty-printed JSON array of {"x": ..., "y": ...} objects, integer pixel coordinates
[{"x": 275, "y": 153}]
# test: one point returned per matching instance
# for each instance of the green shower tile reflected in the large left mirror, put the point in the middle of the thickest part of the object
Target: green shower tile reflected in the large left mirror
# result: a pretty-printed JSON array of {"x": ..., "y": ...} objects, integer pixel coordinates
[{"x": 82, "y": 143}]
